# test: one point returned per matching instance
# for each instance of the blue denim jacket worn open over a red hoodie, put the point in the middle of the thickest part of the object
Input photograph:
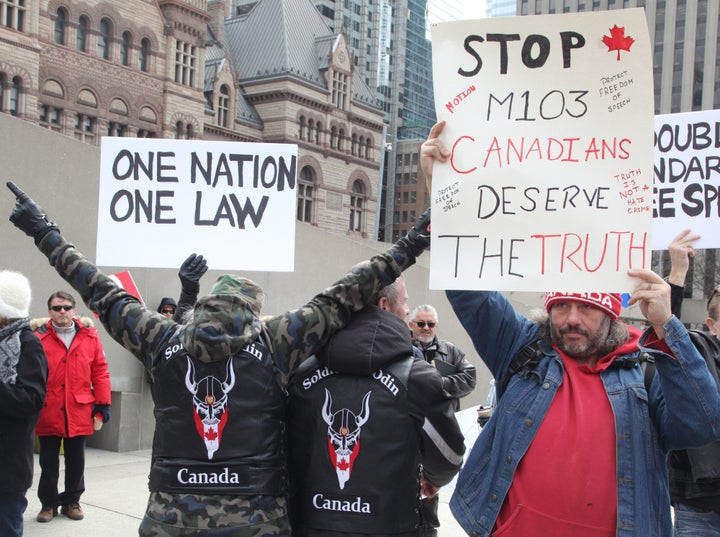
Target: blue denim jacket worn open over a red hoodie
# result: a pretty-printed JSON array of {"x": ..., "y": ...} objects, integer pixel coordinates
[{"x": 682, "y": 410}]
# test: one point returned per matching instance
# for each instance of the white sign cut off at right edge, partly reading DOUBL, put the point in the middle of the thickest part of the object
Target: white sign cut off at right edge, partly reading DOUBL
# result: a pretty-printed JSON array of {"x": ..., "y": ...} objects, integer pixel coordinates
[{"x": 687, "y": 177}]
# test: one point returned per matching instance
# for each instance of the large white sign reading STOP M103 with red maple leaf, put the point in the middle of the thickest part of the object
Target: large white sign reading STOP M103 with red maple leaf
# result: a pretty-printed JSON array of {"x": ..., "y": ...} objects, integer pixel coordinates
[{"x": 550, "y": 124}]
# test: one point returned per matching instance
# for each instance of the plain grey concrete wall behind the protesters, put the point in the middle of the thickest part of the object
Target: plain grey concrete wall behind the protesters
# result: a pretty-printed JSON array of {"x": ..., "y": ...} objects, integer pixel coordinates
[{"x": 61, "y": 175}]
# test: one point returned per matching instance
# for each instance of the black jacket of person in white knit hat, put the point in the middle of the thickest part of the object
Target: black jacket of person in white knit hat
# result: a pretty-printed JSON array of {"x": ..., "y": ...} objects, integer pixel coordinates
[{"x": 20, "y": 404}]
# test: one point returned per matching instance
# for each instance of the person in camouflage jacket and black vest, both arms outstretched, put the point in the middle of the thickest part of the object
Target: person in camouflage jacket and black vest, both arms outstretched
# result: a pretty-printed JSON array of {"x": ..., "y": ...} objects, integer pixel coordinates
[{"x": 218, "y": 462}]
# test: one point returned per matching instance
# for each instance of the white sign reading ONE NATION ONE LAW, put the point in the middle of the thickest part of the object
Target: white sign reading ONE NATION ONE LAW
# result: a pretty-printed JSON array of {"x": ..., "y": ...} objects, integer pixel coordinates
[{"x": 161, "y": 200}]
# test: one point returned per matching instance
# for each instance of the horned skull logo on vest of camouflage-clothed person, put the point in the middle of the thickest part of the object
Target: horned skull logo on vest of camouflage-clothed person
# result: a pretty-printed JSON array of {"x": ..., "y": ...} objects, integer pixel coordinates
[{"x": 210, "y": 399}]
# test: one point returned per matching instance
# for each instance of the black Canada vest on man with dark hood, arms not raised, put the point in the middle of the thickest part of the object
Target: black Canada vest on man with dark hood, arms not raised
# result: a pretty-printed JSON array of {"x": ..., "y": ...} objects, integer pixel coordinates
[{"x": 353, "y": 451}]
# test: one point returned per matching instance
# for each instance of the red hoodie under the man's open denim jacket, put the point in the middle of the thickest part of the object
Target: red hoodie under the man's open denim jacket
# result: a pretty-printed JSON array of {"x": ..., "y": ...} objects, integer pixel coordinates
[{"x": 565, "y": 485}]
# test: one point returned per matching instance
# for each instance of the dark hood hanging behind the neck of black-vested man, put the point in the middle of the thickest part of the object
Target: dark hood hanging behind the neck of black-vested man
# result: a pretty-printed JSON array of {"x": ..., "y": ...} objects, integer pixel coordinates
[{"x": 374, "y": 338}]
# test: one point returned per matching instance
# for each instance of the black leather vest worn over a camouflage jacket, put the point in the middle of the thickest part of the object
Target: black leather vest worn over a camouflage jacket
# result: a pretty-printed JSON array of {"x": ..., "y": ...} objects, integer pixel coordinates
[{"x": 219, "y": 426}]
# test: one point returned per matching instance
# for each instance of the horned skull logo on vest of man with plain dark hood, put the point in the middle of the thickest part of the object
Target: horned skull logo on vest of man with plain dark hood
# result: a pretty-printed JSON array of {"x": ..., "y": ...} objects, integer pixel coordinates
[{"x": 344, "y": 429}]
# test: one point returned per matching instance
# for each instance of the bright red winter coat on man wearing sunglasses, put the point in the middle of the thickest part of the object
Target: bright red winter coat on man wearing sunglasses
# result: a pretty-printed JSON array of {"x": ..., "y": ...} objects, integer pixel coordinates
[{"x": 78, "y": 379}]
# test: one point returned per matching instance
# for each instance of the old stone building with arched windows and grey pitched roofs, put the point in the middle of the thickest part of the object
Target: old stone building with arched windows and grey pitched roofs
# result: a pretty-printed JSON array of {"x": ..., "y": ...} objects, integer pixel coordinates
[{"x": 271, "y": 71}]
